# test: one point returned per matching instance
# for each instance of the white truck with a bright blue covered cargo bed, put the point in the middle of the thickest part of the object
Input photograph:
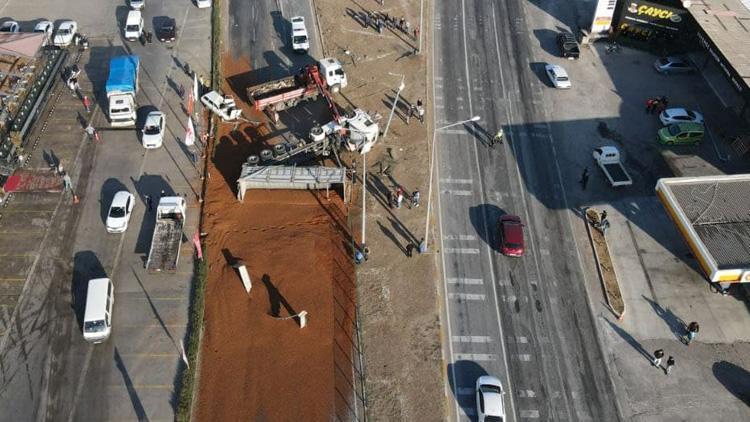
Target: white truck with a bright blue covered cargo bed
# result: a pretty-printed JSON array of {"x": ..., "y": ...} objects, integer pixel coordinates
[{"x": 122, "y": 86}]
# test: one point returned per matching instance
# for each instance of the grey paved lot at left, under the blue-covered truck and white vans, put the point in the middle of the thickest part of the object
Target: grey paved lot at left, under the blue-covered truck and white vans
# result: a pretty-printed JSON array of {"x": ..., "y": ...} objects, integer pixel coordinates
[{"x": 48, "y": 371}]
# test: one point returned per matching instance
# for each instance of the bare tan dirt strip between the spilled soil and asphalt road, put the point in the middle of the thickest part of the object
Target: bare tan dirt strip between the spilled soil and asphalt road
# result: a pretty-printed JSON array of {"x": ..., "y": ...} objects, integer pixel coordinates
[{"x": 397, "y": 294}]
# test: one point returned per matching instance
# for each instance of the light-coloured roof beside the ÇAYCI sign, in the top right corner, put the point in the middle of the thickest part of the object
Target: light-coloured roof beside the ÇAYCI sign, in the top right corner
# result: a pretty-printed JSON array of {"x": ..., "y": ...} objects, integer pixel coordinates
[{"x": 727, "y": 23}]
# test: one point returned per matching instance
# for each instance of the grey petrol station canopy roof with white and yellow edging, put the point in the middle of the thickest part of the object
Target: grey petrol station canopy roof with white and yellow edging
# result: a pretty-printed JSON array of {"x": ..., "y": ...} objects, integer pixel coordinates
[{"x": 718, "y": 209}]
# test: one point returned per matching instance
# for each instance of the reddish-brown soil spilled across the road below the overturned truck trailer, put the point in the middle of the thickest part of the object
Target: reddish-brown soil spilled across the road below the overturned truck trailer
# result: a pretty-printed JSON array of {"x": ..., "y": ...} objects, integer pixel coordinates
[{"x": 295, "y": 244}]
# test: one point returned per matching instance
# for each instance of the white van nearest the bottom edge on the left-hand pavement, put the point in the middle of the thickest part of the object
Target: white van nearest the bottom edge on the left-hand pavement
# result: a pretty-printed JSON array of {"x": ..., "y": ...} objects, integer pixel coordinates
[{"x": 97, "y": 319}]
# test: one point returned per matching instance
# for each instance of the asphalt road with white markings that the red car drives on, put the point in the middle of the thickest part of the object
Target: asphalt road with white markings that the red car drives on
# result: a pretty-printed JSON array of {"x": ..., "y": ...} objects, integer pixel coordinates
[{"x": 525, "y": 320}]
